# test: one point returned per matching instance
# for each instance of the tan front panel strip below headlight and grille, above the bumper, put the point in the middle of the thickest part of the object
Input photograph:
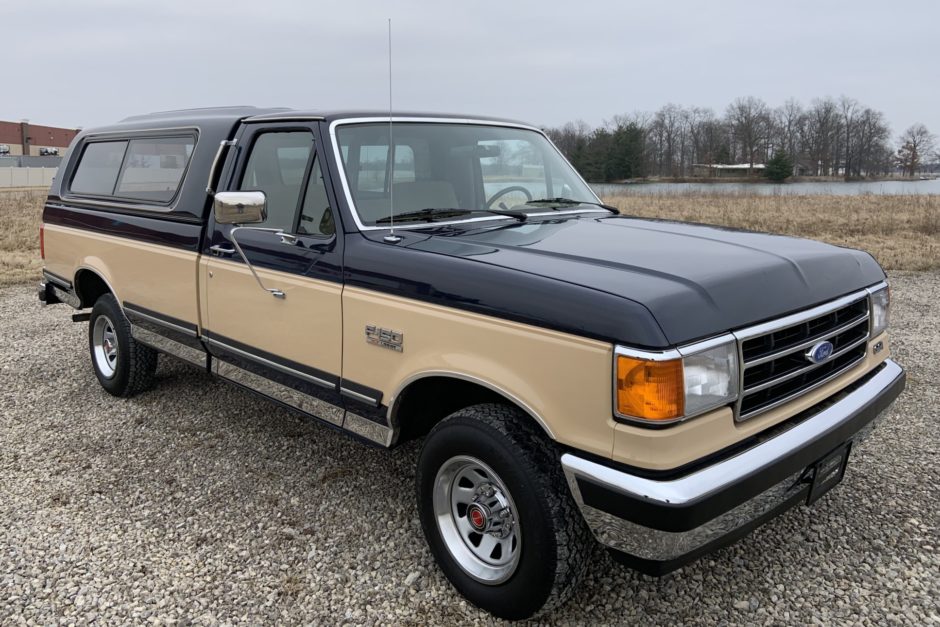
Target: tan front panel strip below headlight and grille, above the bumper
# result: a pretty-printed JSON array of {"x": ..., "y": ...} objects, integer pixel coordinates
[{"x": 664, "y": 449}]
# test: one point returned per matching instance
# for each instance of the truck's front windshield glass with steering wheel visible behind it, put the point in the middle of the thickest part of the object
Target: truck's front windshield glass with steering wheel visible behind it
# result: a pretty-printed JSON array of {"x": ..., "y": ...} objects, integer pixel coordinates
[{"x": 468, "y": 167}]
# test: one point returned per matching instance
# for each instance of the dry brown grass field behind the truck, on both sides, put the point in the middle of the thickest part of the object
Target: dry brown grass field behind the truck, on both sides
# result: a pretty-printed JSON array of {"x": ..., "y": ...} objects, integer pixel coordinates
[{"x": 902, "y": 232}]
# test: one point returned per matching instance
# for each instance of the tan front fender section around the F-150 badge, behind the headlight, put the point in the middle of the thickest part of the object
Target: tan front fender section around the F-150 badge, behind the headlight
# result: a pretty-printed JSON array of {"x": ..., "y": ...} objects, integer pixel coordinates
[{"x": 563, "y": 381}]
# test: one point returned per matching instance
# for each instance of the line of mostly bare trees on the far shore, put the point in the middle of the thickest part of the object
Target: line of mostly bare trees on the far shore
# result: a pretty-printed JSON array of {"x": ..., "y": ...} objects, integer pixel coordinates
[{"x": 830, "y": 137}]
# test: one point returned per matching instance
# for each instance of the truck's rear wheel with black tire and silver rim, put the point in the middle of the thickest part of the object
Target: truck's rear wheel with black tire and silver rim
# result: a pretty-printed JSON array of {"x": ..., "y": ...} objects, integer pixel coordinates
[{"x": 123, "y": 365}]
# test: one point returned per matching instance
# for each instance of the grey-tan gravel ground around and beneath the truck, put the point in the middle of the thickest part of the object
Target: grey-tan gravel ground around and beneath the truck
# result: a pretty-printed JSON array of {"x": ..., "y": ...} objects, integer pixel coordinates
[{"x": 199, "y": 503}]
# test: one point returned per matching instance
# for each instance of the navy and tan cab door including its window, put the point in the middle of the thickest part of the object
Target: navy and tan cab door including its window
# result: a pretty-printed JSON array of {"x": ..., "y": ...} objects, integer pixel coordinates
[{"x": 287, "y": 346}]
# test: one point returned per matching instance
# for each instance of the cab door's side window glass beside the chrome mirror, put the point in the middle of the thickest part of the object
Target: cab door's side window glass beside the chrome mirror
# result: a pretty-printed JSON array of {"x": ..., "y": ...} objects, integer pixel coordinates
[{"x": 276, "y": 166}]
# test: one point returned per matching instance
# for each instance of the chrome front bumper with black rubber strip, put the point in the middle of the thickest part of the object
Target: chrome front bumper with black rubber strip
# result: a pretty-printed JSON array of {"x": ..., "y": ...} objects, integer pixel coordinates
[{"x": 657, "y": 526}]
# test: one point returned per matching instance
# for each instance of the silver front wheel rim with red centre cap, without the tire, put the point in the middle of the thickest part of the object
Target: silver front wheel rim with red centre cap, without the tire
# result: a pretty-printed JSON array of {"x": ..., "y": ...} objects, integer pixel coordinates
[{"x": 477, "y": 519}]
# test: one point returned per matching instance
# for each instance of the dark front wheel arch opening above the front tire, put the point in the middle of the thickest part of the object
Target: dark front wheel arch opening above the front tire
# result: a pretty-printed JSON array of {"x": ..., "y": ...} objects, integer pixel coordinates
[{"x": 424, "y": 399}]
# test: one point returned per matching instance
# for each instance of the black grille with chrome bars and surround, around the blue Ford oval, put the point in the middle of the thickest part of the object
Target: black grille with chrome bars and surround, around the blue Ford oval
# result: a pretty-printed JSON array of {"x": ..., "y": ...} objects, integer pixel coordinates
[{"x": 775, "y": 368}]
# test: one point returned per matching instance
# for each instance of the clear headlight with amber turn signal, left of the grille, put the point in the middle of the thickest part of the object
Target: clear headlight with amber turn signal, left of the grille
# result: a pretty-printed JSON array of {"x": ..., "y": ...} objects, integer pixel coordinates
[{"x": 668, "y": 387}]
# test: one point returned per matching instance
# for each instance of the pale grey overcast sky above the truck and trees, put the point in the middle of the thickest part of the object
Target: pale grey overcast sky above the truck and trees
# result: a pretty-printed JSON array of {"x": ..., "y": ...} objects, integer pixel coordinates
[{"x": 91, "y": 62}]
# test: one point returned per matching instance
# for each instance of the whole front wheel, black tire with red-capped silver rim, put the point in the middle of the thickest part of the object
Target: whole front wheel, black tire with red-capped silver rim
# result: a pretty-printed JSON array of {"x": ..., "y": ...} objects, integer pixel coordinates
[{"x": 497, "y": 513}]
